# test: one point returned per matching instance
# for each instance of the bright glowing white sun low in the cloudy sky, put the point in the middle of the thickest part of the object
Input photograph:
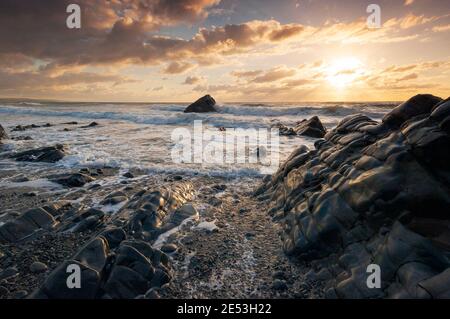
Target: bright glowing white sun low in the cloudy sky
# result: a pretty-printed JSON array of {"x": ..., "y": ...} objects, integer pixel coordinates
[{"x": 342, "y": 72}]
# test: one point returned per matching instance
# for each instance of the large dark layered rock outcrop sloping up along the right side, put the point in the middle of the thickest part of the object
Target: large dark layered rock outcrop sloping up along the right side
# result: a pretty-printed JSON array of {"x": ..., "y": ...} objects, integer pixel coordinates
[{"x": 372, "y": 193}]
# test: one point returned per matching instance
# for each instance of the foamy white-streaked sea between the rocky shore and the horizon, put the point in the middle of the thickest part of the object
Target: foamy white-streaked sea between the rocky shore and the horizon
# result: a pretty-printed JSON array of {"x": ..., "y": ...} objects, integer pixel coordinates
[{"x": 141, "y": 135}]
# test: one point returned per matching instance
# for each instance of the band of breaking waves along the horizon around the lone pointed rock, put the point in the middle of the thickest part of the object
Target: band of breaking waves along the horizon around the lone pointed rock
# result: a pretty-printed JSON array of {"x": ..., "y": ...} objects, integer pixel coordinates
[{"x": 227, "y": 116}]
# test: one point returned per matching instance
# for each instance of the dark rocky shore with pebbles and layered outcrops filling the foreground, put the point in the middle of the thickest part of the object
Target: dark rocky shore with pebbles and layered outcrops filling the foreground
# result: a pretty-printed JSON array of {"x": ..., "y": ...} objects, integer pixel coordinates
[{"x": 221, "y": 235}]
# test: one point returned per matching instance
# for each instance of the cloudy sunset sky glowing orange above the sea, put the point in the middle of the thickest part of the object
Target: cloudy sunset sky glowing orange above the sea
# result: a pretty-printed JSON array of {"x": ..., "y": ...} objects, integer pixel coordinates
[{"x": 241, "y": 51}]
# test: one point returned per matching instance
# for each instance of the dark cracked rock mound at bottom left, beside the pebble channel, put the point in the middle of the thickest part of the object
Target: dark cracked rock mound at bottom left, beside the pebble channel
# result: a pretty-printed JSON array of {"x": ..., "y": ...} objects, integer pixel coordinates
[{"x": 111, "y": 267}]
